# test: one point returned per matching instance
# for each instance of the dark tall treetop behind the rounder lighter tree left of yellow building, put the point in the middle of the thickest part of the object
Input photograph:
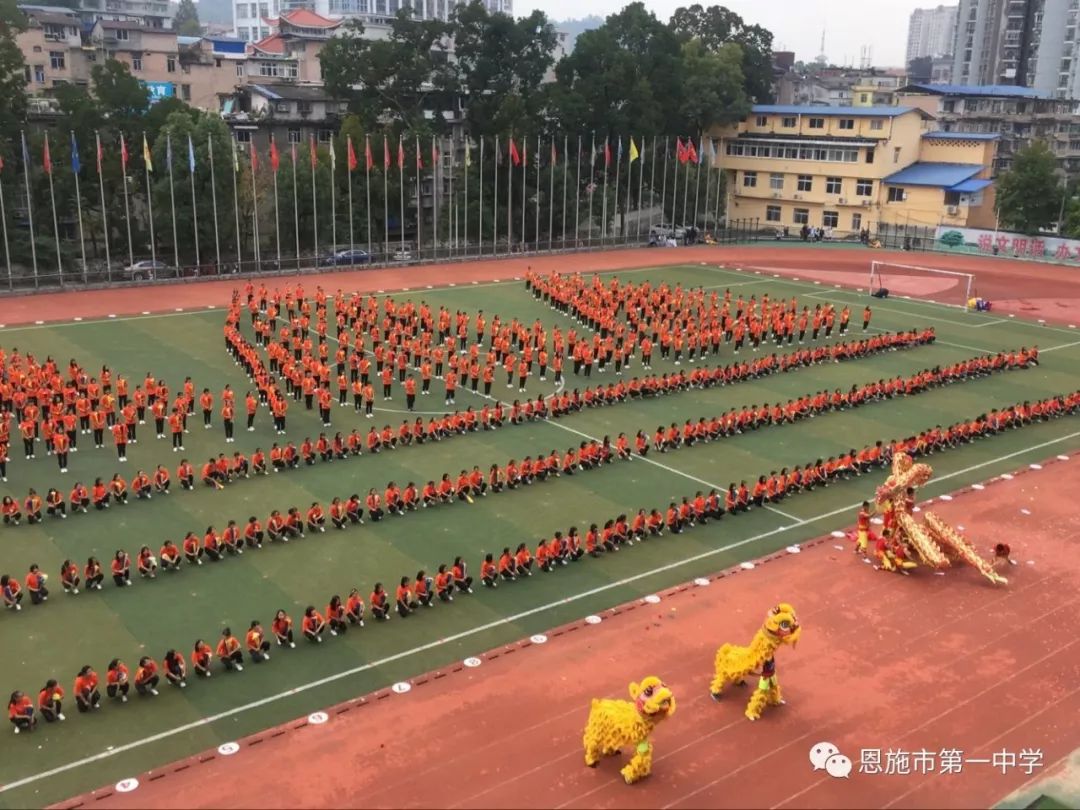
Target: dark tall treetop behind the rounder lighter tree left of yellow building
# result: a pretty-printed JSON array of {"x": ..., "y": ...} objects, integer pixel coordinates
[{"x": 717, "y": 28}]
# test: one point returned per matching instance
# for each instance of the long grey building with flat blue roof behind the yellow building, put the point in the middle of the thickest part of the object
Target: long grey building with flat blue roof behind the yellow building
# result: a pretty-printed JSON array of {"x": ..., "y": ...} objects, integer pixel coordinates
[{"x": 1018, "y": 116}]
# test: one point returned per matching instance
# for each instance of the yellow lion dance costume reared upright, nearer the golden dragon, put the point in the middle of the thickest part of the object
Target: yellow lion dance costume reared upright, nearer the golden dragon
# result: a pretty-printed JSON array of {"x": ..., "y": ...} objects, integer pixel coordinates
[{"x": 735, "y": 664}]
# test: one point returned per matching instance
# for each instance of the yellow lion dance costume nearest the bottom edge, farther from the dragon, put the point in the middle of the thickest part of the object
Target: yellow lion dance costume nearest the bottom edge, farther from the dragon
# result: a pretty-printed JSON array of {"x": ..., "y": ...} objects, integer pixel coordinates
[{"x": 616, "y": 723}]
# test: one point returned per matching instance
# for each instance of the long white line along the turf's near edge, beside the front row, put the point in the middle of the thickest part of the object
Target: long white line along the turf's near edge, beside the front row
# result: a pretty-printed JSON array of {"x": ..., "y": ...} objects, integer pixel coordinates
[{"x": 480, "y": 629}]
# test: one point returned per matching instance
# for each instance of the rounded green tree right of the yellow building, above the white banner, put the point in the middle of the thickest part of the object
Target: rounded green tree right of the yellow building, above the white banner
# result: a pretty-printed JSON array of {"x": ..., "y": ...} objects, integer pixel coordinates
[{"x": 1030, "y": 194}]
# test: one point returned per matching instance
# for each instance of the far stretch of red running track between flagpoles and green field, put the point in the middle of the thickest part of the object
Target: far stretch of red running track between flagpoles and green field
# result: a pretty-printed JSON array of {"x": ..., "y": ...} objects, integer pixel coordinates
[{"x": 1025, "y": 289}]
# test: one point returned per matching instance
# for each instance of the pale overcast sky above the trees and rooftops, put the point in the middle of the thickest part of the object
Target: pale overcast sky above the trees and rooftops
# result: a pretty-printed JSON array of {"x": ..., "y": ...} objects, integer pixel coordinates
[{"x": 796, "y": 25}]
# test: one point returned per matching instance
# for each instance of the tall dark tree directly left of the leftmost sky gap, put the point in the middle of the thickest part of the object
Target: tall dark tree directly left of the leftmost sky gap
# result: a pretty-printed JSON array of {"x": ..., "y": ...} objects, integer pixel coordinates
[{"x": 502, "y": 64}]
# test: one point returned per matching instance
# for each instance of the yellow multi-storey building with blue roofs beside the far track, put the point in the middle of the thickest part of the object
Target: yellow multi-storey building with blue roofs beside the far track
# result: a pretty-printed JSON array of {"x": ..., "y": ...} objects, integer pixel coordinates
[{"x": 848, "y": 169}]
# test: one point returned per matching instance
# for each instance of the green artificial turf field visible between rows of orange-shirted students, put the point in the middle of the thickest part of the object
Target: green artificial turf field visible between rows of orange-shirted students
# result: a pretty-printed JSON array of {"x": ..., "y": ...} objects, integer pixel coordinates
[{"x": 56, "y": 640}]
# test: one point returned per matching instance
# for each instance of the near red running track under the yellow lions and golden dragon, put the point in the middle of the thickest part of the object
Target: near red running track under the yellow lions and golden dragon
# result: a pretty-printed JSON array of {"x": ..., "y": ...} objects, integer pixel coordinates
[{"x": 926, "y": 663}]
